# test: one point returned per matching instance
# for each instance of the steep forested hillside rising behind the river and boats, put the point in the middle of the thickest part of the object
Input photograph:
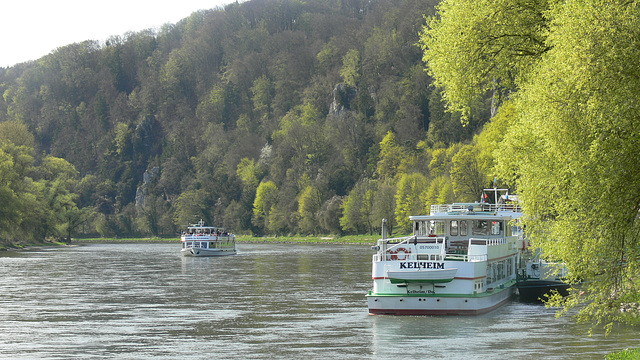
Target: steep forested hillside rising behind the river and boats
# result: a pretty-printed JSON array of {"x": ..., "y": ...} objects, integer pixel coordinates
[{"x": 266, "y": 117}]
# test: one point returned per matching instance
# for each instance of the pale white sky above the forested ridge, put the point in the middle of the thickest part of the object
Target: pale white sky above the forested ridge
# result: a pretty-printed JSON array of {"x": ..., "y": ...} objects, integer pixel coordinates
[{"x": 31, "y": 29}]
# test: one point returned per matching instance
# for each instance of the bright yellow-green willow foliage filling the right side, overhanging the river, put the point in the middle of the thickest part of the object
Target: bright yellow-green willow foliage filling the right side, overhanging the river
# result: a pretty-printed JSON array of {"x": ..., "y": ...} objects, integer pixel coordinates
[{"x": 573, "y": 151}]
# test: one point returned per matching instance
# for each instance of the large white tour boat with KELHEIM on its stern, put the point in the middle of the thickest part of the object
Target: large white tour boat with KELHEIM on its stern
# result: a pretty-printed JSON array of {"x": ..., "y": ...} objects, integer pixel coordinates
[{"x": 461, "y": 259}]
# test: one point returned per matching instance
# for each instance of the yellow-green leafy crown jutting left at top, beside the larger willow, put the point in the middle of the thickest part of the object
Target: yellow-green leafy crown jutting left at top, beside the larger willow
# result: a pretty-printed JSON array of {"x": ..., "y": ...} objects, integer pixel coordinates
[{"x": 474, "y": 47}]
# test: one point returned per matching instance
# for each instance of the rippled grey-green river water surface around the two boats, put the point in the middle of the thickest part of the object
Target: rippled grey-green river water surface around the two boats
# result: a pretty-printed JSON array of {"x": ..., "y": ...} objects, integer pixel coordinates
[{"x": 140, "y": 301}]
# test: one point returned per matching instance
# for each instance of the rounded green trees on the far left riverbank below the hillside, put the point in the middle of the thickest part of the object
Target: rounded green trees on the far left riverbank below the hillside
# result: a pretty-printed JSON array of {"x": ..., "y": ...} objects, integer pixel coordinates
[{"x": 45, "y": 193}]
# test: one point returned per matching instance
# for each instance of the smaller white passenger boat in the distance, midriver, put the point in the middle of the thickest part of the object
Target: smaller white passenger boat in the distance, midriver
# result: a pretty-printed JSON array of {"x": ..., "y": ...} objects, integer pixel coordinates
[{"x": 202, "y": 240}]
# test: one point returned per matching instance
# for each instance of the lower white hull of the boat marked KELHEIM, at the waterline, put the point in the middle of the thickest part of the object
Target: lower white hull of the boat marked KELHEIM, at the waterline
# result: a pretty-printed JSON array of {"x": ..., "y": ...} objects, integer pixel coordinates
[{"x": 438, "y": 305}]
